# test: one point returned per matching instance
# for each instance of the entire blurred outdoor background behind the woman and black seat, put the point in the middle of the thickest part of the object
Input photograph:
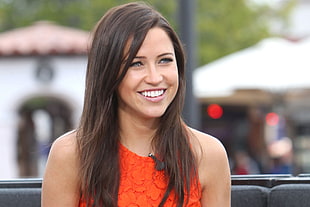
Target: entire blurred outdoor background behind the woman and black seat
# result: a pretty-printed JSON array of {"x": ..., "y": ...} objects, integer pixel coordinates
[{"x": 248, "y": 77}]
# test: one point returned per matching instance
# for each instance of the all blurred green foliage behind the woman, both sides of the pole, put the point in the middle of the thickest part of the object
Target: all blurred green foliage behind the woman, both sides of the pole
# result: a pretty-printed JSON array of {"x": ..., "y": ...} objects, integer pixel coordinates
[{"x": 223, "y": 26}]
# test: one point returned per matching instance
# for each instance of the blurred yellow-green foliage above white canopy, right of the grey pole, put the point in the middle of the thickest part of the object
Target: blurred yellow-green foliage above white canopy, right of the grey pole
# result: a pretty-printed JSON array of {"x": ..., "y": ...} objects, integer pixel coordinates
[{"x": 226, "y": 26}]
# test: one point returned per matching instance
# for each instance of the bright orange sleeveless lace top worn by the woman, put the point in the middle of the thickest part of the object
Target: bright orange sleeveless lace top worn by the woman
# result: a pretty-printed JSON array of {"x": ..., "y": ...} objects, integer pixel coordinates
[{"x": 141, "y": 185}]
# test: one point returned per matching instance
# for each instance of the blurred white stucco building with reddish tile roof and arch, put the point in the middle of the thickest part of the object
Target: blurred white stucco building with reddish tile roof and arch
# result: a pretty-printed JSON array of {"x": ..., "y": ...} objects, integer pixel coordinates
[{"x": 42, "y": 72}]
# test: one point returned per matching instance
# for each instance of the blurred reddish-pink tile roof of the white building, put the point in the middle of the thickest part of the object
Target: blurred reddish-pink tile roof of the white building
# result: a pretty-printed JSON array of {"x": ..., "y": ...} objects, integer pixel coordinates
[{"x": 44, "y": 38}]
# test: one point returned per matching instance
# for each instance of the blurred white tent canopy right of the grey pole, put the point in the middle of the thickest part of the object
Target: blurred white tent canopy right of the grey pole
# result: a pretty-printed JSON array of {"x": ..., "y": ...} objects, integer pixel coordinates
[{"x": 273, "y": 64}]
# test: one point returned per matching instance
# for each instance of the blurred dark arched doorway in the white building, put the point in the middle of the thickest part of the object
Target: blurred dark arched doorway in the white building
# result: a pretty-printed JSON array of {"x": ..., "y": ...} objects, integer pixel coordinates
[{"x": 41, "y": 120}]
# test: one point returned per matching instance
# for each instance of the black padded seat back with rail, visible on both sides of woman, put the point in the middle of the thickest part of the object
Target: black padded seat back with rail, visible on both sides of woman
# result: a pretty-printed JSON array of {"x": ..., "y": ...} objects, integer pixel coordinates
[{"x": 247, "y": 190}]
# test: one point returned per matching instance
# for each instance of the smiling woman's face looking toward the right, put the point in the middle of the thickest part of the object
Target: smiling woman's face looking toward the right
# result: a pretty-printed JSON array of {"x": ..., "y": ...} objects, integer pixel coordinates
[{"x": 151, "y": 81}]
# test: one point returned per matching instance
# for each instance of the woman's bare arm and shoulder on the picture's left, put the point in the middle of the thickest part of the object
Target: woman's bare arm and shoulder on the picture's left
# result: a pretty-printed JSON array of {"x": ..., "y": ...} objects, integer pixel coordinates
[{"x": 60, "y": 185}]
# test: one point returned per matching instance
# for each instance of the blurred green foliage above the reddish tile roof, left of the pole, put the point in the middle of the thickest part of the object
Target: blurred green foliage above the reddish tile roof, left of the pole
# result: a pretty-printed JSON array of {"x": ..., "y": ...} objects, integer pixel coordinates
[{"x": 82, "y": 14}]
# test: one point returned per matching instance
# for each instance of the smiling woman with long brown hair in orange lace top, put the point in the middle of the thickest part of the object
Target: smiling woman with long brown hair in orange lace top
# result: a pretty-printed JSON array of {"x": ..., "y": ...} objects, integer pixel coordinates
[{"x": 131, "y": 146}]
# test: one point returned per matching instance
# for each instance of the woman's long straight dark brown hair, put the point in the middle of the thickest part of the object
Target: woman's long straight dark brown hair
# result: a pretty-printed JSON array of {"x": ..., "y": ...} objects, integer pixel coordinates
[{"x": 98, "y": 132}]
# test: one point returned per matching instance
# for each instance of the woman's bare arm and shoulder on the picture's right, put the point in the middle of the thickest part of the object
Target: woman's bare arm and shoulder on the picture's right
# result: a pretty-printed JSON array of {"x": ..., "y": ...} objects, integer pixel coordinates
[{"x": 214, "y": 172}]
